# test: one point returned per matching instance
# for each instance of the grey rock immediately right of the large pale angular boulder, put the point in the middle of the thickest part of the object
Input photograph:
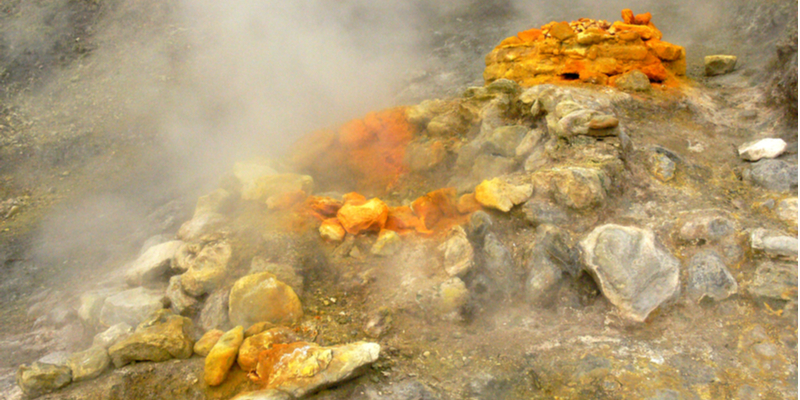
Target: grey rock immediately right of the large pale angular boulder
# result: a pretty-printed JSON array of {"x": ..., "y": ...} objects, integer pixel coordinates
[{"x": 709, "y": 277}]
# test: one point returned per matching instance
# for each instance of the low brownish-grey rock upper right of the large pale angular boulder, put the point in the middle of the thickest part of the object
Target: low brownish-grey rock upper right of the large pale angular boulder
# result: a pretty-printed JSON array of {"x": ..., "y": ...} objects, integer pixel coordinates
[{"x": 706, "y": 226}]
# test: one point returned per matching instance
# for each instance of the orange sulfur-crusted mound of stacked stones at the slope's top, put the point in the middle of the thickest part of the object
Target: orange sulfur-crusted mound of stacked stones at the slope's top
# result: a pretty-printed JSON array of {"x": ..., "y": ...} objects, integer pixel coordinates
[{"x": 588, "y": 51}]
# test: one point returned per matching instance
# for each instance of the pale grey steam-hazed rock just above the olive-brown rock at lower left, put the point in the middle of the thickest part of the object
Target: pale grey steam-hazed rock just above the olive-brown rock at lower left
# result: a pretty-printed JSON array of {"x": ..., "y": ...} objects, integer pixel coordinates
[{"x": 131, "y": 306}]
